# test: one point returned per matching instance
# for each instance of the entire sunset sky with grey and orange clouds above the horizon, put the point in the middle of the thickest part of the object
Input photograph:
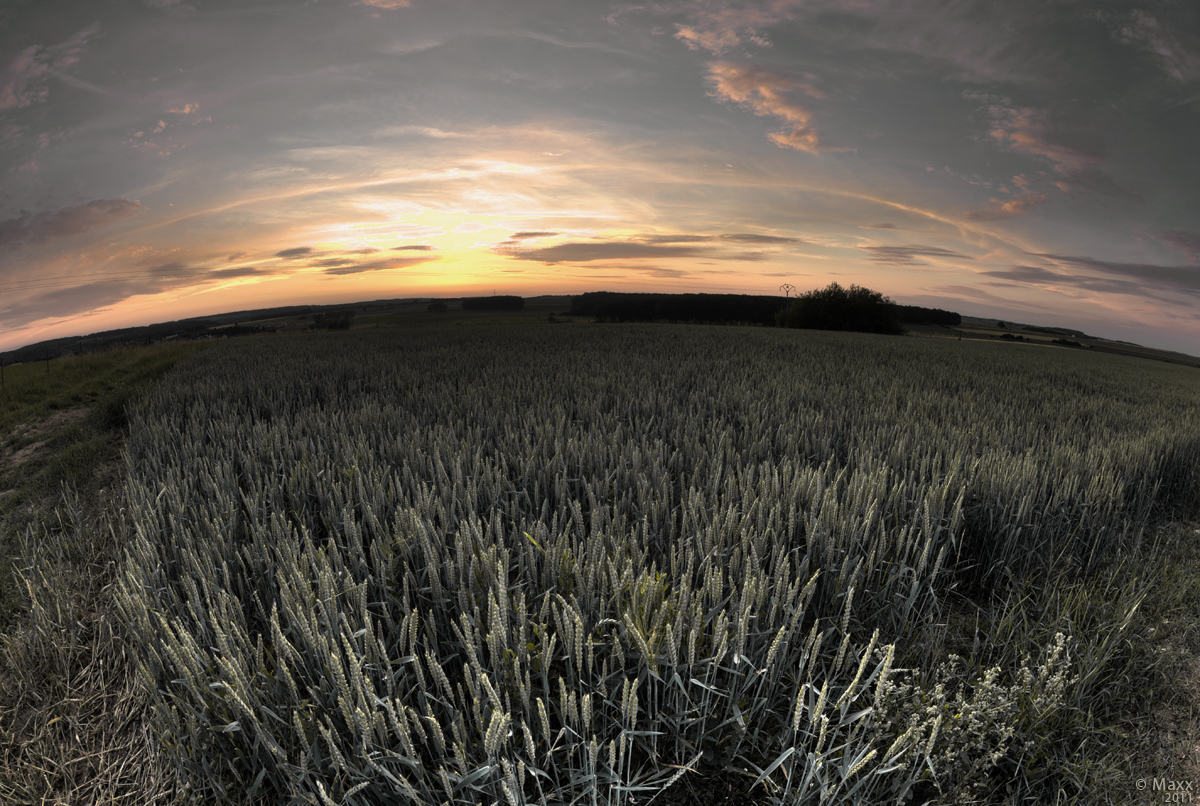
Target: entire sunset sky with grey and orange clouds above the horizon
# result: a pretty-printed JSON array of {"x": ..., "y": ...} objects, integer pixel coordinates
[{"x": 1030, "y": 160}]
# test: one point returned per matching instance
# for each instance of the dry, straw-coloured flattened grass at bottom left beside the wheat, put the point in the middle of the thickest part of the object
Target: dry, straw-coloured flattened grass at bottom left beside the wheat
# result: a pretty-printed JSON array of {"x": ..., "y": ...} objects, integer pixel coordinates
[{"x": 73, "y": 709}]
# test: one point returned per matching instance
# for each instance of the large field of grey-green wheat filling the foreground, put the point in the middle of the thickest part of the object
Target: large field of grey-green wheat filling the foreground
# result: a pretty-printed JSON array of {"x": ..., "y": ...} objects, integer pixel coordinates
[{"x": 557, "y": 562}]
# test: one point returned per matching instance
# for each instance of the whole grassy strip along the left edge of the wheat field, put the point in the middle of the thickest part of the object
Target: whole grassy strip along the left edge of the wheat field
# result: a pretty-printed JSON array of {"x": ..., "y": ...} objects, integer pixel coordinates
[{"x": 73, "y": 711}]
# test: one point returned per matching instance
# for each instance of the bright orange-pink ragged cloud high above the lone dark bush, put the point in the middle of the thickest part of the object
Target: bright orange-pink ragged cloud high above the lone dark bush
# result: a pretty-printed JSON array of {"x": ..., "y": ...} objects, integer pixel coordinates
[{"x": 769, "y": 93}]
